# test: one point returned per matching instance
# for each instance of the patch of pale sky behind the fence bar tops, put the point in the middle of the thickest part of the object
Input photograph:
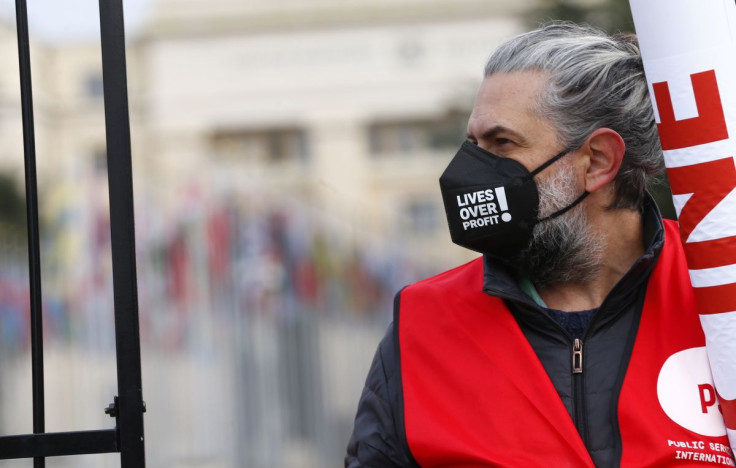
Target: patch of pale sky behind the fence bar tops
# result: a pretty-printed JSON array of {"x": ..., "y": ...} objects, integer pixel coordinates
[{"x": 71, "y": 20}]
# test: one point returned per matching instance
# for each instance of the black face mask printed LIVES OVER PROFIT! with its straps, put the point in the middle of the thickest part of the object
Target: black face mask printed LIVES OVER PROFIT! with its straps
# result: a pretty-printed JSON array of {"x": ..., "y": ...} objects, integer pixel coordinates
[{"x": 492, "y": 203}]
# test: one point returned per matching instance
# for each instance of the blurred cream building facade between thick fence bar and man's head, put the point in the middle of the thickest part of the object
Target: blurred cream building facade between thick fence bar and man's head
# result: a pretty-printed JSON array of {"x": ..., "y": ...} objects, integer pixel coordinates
[{"x": 355, "y": 107}]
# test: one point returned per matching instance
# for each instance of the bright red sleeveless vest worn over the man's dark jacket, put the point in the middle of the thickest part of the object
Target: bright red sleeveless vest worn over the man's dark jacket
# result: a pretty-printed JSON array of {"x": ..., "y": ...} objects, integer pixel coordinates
[{"x": 476, "y": 395}]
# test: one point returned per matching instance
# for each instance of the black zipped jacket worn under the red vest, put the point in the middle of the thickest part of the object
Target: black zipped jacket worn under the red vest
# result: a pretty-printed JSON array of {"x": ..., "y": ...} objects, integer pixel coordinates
[{"x": 379, "y": 438}]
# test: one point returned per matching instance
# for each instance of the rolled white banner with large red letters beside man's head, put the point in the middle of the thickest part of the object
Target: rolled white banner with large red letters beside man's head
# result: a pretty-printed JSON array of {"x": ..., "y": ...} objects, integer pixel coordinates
[{"x": 689, "y": 52}]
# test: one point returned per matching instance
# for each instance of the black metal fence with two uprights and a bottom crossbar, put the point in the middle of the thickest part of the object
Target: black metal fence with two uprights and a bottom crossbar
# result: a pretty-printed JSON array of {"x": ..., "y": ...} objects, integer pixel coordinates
[{"x": 127, "y": 407}]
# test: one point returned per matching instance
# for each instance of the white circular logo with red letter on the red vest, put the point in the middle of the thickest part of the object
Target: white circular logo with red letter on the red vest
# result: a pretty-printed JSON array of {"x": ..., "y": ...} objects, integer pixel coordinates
[{"x": 687, "y": 395}]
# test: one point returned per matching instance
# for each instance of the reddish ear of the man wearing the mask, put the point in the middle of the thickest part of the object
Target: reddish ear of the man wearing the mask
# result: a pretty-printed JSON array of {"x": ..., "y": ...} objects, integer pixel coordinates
[{"x": 605, "y": 149}]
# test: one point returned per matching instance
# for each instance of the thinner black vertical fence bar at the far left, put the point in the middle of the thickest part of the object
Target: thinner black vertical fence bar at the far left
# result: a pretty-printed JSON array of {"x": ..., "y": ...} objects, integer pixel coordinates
[{"x": 34, "y": 256}]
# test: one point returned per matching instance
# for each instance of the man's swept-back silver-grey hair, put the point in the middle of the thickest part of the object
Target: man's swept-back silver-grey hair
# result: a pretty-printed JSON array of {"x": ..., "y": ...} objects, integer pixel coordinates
[{"x": 596, "y": 81}]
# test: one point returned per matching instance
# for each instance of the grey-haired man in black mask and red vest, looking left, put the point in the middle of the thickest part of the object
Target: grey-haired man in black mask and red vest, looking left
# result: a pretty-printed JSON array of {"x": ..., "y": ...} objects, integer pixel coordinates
[{"x": 549, "y": 349}]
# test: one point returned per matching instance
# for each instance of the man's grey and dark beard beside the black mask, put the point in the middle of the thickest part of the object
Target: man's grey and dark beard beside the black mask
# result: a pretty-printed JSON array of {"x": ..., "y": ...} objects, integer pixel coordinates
[{"x": 563, "y": 249}]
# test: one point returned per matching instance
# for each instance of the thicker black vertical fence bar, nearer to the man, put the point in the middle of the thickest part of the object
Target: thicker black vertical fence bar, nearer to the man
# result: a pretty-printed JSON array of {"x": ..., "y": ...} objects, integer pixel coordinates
[{"x": 120, "y": 177}]
